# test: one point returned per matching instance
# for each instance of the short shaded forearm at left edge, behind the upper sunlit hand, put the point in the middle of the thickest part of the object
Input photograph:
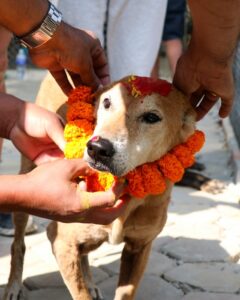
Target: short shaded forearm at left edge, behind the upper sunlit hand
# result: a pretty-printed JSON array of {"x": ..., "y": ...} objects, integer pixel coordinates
[{"x": 10, "y": 110}]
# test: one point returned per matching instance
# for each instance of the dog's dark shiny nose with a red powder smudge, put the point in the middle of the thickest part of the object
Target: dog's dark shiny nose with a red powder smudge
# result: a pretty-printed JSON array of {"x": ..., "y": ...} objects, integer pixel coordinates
[{"x": 99, "y": 148}]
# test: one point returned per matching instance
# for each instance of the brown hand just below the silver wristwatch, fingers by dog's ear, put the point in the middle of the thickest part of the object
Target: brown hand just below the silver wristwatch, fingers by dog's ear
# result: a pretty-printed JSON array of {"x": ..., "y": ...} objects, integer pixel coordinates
[{"x": 77, "y": 51}]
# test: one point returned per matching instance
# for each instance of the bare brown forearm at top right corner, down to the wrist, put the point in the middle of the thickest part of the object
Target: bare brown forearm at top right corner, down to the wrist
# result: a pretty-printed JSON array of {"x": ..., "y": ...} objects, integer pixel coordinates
[{"x": 216, "y": 27}]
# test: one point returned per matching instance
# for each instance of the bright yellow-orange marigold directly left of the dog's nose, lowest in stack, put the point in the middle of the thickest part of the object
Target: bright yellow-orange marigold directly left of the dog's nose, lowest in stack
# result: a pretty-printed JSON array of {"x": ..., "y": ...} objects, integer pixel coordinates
[{"x": 75, "y": 148}]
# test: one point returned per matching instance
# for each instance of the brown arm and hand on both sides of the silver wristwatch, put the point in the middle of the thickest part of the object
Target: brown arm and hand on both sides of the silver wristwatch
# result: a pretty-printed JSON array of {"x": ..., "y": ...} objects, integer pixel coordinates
[{"x": 77, "y": 51}]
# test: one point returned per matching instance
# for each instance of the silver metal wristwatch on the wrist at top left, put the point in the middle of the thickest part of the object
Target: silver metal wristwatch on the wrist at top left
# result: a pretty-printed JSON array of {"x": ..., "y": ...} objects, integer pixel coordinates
[{"x": 45, "y": 31}]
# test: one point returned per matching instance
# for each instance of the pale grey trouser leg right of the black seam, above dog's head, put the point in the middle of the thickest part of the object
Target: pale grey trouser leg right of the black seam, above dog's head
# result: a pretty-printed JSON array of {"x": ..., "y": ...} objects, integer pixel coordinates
[{"x": 134, "y": 36}]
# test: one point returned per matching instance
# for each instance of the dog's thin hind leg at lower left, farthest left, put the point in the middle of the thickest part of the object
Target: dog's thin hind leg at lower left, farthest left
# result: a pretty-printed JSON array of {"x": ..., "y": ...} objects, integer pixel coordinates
[{"x": 14, "y": 289}]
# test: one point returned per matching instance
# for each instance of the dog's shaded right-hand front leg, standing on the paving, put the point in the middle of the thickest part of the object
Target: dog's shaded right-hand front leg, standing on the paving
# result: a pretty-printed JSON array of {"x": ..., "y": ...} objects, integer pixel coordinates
[{"x": 133, "y": 262}]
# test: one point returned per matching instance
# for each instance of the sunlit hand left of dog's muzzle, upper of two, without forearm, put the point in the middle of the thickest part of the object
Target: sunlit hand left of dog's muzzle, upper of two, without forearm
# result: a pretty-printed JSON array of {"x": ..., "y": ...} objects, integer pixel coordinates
[{"x": 38, "y": 133}]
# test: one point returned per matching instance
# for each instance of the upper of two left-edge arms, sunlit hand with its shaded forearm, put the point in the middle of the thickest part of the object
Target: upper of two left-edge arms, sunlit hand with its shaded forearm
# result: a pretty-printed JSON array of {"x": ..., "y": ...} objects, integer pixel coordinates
[{"x": 35, "y": 132}]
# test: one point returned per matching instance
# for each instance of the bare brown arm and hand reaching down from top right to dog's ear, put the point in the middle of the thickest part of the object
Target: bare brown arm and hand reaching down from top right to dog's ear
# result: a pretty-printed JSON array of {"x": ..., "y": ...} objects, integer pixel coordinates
[{"x": 205, "y": 69}]
